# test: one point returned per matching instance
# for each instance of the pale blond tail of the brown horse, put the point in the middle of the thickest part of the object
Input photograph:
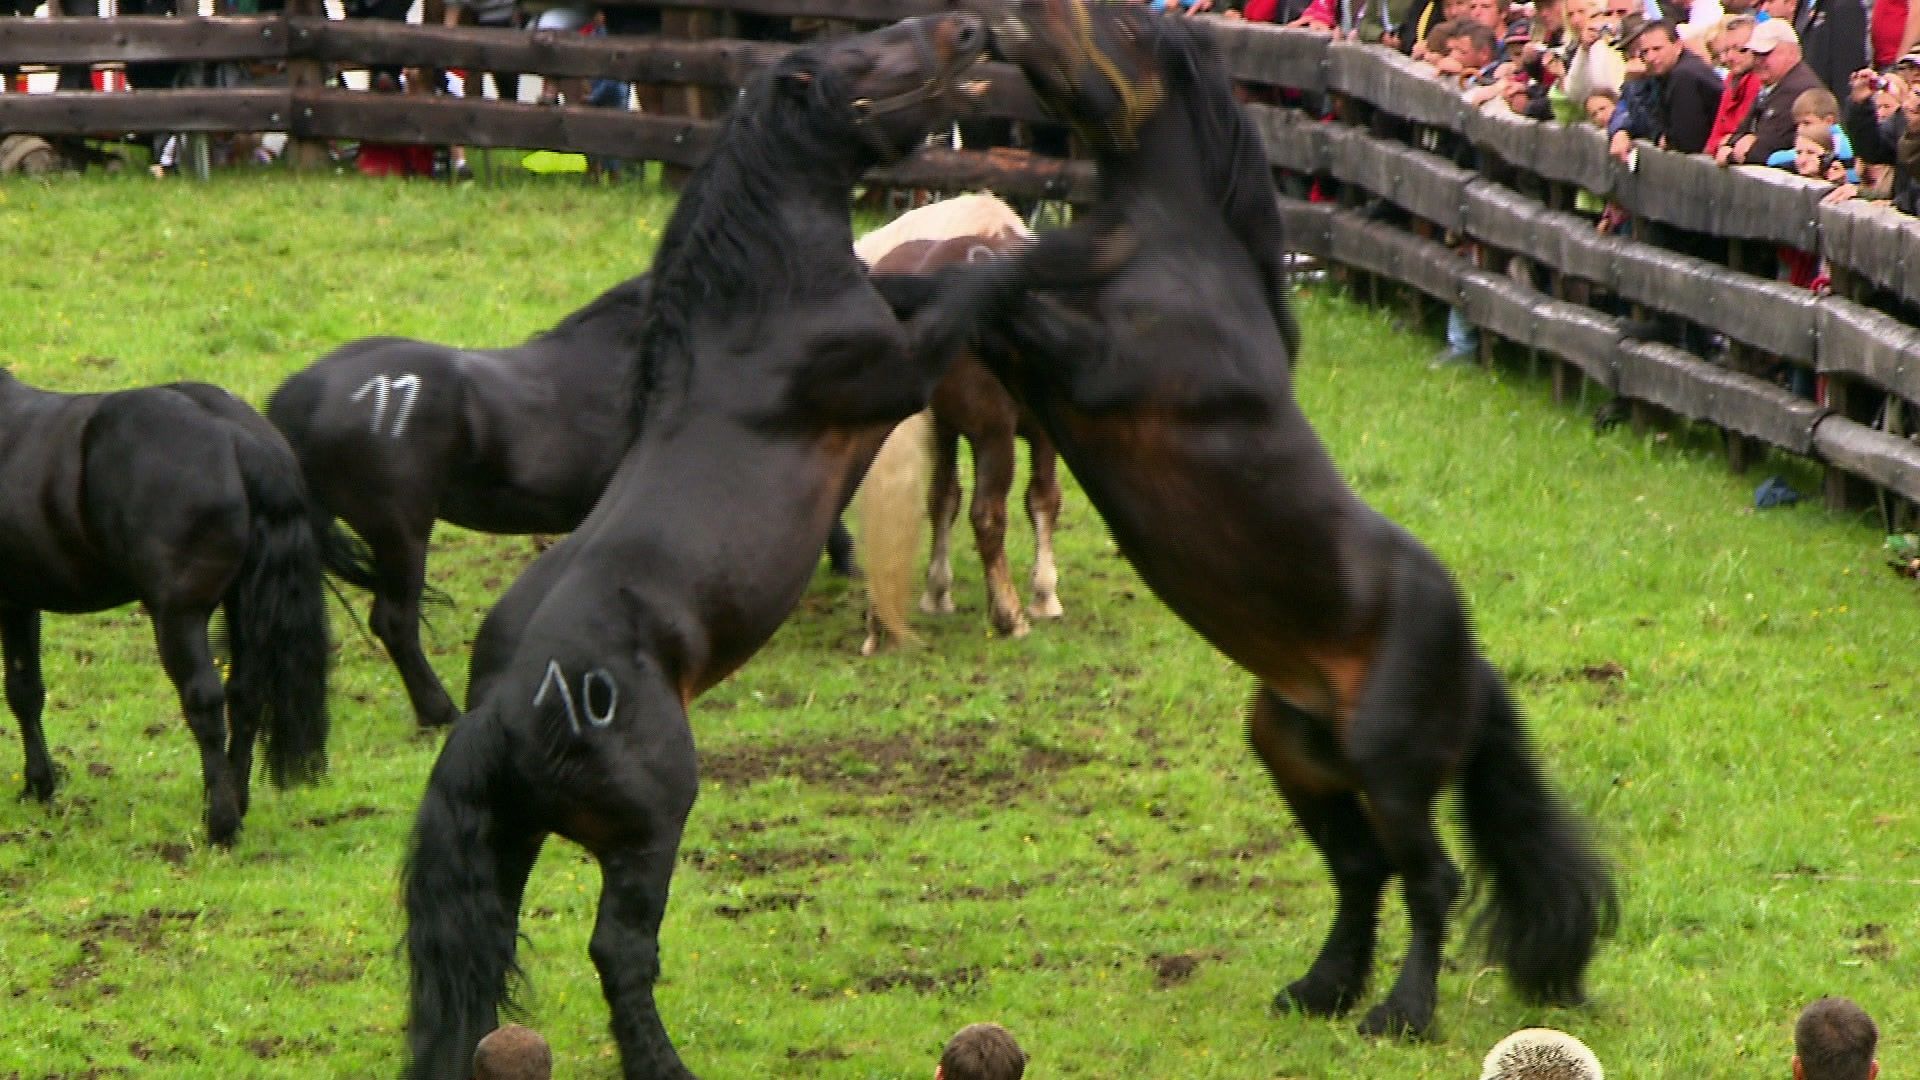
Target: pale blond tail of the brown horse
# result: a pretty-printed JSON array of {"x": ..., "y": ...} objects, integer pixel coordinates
[{"x": 892, "y": 510}]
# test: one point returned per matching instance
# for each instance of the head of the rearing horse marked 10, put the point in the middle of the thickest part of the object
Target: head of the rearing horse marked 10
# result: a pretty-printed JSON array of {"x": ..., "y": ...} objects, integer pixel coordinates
[{"x": 894, "y": 86}]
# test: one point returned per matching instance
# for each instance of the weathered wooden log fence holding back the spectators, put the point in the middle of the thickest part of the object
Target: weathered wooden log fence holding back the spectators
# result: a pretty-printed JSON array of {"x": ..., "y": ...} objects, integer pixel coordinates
[{"x": 1518, "y": 203}]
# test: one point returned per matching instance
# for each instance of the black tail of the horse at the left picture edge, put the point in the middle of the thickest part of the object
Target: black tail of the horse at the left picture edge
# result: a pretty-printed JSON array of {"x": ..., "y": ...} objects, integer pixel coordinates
[{"x": 277, "y": 618}]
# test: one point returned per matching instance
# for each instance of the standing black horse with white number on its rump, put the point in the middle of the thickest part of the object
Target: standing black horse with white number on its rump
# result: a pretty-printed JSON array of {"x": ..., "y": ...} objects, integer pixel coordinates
[{"x": 396, "y": 435}]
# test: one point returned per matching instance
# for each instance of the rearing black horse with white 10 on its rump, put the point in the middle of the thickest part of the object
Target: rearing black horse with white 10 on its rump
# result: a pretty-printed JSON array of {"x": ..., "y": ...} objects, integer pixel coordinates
[{"x": 771, "y": 374}]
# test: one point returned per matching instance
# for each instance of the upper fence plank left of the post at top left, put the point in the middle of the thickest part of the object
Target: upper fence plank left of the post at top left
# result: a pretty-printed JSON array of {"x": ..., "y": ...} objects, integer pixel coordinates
[{"x": 141, "y": 39}]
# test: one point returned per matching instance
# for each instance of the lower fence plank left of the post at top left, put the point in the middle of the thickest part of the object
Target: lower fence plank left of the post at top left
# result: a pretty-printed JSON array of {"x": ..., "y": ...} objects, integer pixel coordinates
[{"x": 149, "y": 112}]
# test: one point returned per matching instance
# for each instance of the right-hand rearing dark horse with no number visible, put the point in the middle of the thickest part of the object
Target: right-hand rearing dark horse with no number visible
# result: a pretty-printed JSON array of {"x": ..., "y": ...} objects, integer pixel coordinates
[{"x": 1168, "y": 391}]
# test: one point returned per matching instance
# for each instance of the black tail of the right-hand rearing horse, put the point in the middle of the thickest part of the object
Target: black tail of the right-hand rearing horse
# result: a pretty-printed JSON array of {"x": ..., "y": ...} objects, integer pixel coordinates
[{"x": 1552, "y": 893}]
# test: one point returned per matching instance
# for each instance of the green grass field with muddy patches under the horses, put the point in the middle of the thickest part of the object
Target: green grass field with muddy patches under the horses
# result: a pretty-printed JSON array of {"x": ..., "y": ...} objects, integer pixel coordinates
[{"x": 1063, "y": 833}]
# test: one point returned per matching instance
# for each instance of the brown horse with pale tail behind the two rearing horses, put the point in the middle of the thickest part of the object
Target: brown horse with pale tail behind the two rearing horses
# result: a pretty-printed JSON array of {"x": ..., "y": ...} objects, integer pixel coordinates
[{"x": 969, "y": 405}]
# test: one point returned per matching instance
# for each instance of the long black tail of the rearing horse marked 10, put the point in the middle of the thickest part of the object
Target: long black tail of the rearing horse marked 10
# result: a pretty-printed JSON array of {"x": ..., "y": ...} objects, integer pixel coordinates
[{"x": 460, "y": 931}]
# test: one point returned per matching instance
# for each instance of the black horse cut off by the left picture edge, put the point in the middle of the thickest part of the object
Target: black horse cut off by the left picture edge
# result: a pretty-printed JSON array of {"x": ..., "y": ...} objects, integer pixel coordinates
[{"x": 187, "y": 501}]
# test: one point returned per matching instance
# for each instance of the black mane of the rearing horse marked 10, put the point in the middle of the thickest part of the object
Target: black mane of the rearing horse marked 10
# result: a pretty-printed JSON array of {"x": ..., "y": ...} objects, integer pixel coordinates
[{"x": 729, "y": 243}]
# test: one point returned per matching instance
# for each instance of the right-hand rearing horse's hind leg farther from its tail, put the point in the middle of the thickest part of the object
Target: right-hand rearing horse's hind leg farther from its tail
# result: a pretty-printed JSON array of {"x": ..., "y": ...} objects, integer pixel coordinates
[{"x": 1303, "y": 762}]
